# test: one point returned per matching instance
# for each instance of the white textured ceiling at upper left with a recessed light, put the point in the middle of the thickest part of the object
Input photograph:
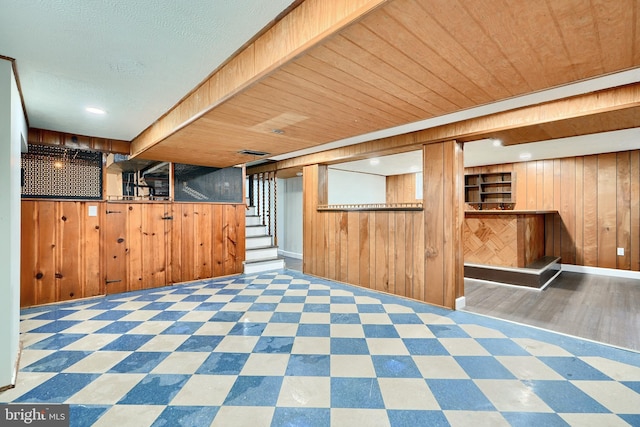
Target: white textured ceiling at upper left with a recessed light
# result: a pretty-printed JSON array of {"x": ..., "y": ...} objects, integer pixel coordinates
[{"x": 133, "y": 58}]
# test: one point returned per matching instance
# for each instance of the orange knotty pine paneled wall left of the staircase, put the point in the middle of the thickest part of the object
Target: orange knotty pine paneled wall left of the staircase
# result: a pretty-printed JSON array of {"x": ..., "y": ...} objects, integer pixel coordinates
[{"x": 67, "y": 254}]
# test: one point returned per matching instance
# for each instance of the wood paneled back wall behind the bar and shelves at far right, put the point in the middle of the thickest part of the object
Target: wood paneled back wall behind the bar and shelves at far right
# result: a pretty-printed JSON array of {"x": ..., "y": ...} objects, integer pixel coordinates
[{"x": 598, "y": 200}]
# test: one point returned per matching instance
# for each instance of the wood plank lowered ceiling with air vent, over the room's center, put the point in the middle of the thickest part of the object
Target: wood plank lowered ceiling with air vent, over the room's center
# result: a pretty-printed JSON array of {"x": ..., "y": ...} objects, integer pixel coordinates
[{"x": 410, "y": 60}]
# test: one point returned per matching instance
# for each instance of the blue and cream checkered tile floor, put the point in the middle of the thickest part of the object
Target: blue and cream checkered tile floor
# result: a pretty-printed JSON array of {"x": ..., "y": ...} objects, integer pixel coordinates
[{"x": 288, "y": 349}]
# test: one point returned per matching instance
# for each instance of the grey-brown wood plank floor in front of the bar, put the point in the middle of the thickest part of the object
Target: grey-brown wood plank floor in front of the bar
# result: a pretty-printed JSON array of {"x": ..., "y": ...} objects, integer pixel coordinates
[{"x": 599, "y": 308}]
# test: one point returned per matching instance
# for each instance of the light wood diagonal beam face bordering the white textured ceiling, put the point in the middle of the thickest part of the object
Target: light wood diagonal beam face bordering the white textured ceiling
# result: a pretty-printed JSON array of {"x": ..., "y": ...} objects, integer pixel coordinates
[{"x": 303, "y": 28}]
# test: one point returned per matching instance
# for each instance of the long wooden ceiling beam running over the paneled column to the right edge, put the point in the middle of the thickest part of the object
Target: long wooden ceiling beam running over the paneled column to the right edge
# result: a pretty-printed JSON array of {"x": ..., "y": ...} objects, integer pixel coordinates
[{"x": 558, "y": 114}]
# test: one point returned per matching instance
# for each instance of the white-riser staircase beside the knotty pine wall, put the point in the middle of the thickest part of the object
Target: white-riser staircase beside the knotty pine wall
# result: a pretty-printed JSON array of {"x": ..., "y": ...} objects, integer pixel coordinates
[{"x": 260, "y": 254}]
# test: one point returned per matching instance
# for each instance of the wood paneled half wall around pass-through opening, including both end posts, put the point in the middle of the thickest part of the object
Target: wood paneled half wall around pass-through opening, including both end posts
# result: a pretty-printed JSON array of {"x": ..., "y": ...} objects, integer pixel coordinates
[{"x": 409, "y": 253}]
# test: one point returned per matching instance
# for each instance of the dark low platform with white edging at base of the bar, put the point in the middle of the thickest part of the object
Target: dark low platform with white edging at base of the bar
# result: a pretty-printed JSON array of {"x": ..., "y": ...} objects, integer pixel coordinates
[{"x": 537, "y": 275}]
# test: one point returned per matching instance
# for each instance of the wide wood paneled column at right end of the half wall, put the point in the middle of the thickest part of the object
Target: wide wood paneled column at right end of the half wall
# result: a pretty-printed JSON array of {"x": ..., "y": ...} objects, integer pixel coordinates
[{"x": 443, "y": 175}]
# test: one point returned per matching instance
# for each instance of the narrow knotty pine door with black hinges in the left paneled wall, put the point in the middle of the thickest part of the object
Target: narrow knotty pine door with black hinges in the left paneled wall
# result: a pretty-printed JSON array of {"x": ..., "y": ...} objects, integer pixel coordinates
[{"x": 115, "y": 243}]
